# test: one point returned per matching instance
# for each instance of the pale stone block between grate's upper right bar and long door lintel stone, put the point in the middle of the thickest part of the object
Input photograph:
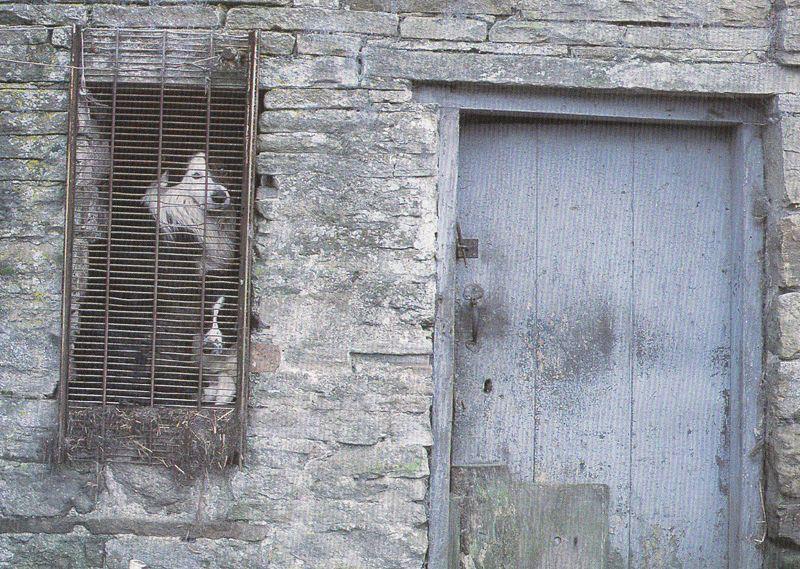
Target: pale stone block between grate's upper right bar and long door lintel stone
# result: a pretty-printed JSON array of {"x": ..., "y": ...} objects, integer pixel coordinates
[{"x": 305, "y": 71}]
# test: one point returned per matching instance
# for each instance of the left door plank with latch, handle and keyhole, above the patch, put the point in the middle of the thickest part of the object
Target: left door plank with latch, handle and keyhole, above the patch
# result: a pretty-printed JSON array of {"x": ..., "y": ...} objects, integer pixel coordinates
[{"x": 495, "y": 395}]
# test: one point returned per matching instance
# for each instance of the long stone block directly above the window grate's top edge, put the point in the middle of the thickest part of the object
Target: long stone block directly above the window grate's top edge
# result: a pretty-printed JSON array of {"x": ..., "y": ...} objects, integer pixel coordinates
[{"x": 174, "y": 17}]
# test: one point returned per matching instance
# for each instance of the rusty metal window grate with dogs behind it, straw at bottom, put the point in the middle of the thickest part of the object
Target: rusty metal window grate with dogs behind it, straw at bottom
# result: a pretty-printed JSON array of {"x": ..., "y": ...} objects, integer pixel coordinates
[{"x": 159, "y": 210}]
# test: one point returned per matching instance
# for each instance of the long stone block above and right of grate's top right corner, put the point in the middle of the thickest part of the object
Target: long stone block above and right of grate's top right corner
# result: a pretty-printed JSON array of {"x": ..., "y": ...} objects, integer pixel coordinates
[{"x": 312, "y": 20}]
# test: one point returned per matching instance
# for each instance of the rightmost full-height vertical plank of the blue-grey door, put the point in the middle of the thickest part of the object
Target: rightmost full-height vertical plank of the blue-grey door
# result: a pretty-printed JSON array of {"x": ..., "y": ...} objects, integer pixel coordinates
[{"x": 681, "y": 371}]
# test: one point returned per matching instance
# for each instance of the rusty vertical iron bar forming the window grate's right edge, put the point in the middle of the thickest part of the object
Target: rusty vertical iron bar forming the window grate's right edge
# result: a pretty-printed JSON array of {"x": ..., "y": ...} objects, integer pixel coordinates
[{"x": 245, "y": 236}]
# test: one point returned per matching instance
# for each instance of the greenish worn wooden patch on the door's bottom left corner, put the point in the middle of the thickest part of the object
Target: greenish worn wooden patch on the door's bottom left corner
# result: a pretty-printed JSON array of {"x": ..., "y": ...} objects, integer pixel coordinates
[{"x": 497, "y": 523}]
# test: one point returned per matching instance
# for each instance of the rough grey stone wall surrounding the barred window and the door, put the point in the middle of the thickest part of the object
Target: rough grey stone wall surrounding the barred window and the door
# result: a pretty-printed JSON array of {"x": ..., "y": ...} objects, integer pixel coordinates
[{"x": 344, "y": 280}]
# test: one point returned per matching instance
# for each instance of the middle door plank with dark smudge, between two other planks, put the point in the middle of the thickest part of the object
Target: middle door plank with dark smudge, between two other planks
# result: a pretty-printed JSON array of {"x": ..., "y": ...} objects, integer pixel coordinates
[{"x": 582, "y": 338}]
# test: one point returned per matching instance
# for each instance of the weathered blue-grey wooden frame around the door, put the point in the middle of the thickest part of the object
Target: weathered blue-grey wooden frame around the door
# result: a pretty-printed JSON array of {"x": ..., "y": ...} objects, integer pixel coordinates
[{"x": 747, "y": 527}]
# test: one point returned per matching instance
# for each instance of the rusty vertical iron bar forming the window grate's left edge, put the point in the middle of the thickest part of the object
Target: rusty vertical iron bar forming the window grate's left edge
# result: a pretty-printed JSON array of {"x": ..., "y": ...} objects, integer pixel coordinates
[{"x": 69, "y": 235}]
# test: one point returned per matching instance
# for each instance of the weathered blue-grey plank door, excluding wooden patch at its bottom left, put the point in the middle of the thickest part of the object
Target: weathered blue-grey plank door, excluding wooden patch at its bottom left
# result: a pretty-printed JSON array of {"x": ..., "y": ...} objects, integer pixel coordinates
[{"x": 600, "y": 350}]
